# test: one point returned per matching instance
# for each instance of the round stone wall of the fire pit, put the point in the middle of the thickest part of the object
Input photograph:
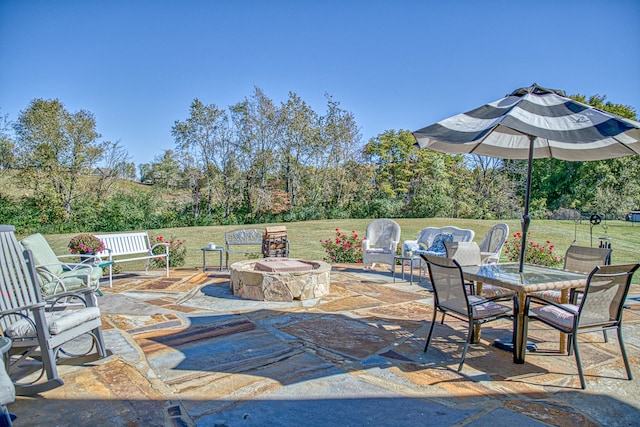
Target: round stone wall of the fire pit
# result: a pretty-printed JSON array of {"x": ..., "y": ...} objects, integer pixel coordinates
[{"x": 250, "y": 283}]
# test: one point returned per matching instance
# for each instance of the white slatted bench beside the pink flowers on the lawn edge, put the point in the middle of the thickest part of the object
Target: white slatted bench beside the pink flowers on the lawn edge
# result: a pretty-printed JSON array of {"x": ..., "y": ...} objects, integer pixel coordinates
[{"x": 132, "y": 246}]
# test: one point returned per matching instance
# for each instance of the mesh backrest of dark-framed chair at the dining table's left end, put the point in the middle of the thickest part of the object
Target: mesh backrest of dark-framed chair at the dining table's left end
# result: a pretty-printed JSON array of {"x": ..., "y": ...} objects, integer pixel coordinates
[{"x": 448, "y": 284}]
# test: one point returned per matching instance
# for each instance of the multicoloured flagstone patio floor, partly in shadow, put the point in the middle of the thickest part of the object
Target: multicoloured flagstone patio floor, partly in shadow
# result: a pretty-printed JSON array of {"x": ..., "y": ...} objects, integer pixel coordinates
[{"x": 188, "y": 353}]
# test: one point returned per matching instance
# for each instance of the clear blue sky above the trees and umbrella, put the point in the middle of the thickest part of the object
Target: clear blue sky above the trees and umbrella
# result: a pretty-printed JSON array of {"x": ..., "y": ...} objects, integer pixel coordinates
[{"x": 138, "y": 65}]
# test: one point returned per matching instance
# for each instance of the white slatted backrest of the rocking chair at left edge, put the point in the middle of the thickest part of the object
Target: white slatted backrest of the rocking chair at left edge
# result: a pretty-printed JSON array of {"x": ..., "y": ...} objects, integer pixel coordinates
[{"x": 17, "y": 278}]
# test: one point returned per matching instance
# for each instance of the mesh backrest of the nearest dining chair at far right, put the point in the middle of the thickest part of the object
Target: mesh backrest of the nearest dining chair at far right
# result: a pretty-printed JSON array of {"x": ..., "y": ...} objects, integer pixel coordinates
[{"x": 605, "y": 293}]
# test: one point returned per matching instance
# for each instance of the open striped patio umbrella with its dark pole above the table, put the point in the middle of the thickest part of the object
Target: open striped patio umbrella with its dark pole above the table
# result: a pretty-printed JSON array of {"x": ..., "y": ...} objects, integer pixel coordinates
[{"x": 532, "y": 123}]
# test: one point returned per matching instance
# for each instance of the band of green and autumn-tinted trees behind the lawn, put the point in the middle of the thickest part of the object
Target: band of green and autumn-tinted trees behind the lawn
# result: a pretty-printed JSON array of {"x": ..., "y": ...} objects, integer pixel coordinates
[{"x": 258, "y": 161}]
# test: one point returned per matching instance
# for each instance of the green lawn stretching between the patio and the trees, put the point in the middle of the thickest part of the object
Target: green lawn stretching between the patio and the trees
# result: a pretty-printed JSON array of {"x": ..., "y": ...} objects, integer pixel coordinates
[{"x": 305, "y": 236}]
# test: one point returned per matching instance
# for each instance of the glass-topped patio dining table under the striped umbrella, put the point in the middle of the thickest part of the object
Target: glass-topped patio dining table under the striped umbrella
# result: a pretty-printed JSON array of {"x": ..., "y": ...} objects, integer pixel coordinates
[{"x": 533, "y": 278}]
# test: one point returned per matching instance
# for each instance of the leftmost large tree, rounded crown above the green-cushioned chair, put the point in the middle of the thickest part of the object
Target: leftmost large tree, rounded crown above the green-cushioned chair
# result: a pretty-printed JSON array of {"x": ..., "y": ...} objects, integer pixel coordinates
[{"x": 56, "y": 149}]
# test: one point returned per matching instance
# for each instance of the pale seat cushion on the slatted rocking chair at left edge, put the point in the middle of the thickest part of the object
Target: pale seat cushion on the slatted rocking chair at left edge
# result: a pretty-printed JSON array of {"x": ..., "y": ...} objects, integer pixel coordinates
[{"x": 58, "y": 322}]
